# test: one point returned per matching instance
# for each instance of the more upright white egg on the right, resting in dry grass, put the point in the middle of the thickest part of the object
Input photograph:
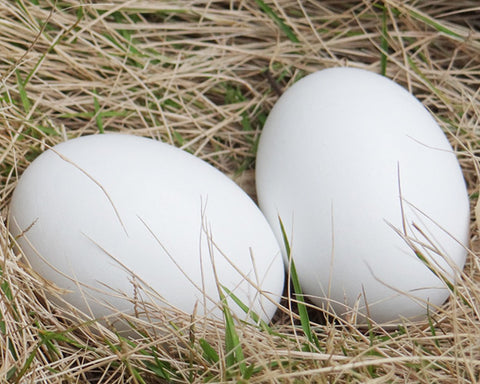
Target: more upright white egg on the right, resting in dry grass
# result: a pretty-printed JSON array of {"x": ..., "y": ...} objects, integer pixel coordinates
[{"x": 370, "y": 193}]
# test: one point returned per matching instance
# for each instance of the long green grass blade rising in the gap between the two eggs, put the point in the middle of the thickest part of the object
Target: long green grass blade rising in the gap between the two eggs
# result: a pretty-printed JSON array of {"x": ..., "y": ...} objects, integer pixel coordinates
[{"x": 300, "y": 300}]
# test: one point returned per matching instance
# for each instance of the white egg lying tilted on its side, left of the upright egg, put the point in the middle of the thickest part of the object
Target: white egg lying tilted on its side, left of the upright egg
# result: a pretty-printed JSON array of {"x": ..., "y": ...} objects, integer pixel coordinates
[{"x": 102, "y": 215}]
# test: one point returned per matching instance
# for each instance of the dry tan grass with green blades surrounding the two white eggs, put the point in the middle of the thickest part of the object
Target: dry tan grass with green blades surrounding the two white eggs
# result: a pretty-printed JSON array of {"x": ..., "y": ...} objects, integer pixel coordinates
[{"x": 202, "y": 75}]
